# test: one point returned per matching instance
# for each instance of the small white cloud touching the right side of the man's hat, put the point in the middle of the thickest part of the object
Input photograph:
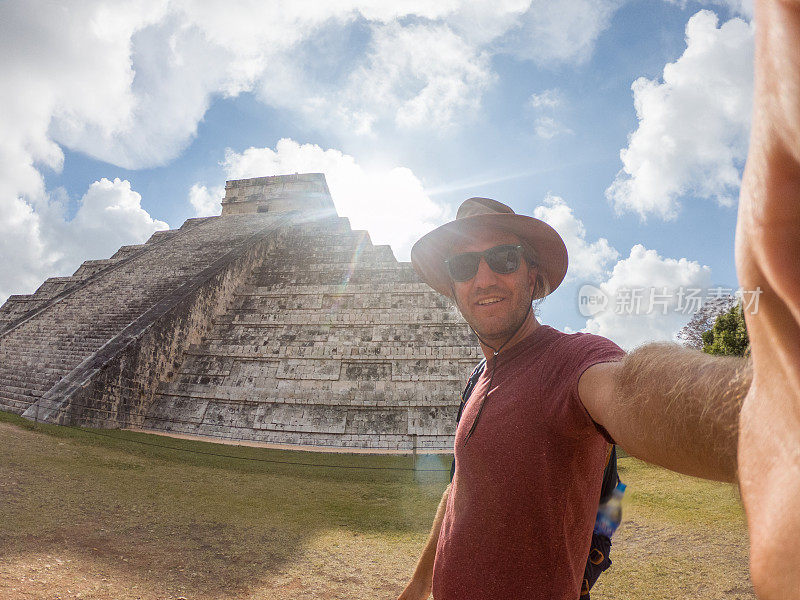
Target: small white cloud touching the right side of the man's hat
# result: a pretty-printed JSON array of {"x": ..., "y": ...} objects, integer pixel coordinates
[{"x": 586, "y": 260}]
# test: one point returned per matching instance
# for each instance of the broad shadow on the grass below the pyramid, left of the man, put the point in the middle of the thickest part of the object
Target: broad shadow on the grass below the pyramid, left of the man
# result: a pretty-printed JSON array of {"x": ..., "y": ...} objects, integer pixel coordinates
[{"x": 194, "y": 516}]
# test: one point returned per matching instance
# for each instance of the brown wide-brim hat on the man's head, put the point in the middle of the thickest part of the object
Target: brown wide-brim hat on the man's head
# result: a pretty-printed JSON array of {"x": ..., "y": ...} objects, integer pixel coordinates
[{"x": 477, "y": 214}]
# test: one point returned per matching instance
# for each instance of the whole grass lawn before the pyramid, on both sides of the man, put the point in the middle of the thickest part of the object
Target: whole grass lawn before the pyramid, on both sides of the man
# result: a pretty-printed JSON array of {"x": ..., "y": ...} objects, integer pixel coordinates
[{"x": 120, "y": 514}]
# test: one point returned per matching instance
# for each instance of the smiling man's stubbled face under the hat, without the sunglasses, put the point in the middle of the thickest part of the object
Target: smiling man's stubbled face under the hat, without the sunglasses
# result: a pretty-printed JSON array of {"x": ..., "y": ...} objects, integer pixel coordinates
[{"x": 494, "y": 304}]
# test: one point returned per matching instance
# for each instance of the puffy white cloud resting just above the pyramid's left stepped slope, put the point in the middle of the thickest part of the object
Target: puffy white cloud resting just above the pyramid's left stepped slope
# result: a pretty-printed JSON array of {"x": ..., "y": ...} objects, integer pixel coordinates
[{"x": 41, "y": 243}]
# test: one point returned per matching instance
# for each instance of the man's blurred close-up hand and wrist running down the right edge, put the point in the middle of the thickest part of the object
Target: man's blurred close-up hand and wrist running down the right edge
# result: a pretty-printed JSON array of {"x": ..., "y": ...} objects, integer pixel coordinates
[{"x": 768, "y": 257}]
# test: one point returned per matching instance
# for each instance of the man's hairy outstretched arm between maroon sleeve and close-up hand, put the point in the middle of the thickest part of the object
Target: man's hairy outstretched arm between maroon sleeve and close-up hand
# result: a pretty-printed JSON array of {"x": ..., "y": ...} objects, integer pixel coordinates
[{"x": 672, "y": 406}]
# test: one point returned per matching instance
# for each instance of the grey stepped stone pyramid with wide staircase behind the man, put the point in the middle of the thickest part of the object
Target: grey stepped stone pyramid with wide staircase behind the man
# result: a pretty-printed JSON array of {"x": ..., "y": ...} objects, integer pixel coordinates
[{"x": 274, "y": 322}]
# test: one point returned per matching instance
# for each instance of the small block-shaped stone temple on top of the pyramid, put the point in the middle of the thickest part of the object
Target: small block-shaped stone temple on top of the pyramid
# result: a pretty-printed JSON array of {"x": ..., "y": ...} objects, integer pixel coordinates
[{"x": 279, "y": 193}]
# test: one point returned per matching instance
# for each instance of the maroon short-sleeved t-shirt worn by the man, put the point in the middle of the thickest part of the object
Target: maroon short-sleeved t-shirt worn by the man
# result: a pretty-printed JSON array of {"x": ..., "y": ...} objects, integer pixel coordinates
[{"x": 524, "y": 496}]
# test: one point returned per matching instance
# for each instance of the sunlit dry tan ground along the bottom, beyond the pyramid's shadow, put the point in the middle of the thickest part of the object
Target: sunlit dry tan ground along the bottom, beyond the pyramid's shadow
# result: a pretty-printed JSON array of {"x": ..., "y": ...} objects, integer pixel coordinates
[{"x": 339, "y": 565}]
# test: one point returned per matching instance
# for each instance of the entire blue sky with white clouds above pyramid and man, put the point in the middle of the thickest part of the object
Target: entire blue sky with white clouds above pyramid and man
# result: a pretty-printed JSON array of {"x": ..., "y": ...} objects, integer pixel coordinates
[{"x": 117, "y": 120}]
